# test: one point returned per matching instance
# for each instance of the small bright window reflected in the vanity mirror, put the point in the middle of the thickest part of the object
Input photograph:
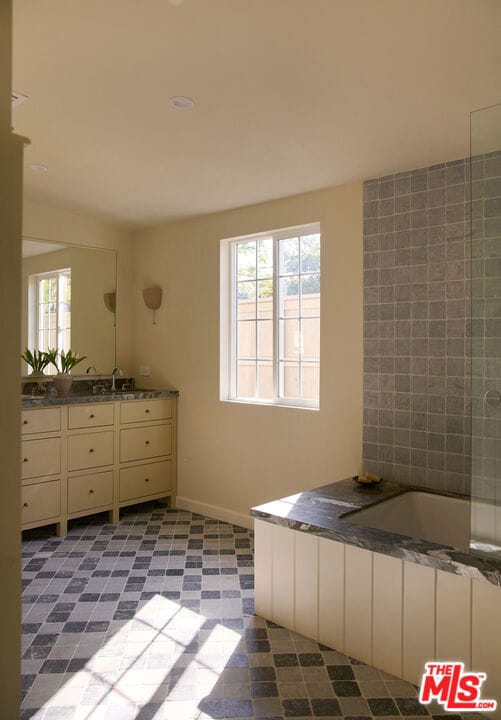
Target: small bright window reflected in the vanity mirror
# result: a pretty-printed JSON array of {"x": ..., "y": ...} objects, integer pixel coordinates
[{"x": 50, "y": 310}]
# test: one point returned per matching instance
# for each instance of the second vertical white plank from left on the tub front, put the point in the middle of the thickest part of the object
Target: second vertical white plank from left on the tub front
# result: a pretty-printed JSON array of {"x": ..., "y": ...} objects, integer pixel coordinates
[{"x": 283, "y": 576}]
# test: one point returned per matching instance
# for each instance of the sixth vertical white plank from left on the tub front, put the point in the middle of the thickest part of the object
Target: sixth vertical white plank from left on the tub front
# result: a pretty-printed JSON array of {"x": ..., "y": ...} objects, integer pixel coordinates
[{"x": 387, "y": 614}]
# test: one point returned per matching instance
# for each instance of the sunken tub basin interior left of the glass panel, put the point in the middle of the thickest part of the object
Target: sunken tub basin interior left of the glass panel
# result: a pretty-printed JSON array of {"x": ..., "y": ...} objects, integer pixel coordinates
[{"x": 436, "y": 518}]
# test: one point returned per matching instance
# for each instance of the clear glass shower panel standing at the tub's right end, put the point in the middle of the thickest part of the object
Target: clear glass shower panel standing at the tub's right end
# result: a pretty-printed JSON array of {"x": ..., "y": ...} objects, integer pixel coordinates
[{"x": 486, "y": 330}]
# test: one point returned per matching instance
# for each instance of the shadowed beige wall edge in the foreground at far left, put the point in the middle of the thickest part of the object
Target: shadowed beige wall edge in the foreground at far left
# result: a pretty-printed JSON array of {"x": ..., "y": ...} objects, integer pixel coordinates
[{"x": 10, "y": 423}]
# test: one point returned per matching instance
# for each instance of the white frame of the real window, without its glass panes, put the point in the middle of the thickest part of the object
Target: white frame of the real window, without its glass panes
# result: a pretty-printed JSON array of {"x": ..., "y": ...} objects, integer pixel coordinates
[{"x": 228, "y": 317}]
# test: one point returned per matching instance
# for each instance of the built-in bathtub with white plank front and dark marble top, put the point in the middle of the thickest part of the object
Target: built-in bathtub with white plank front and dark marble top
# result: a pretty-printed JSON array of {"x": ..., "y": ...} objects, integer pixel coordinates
[{"x": 356, "y": 576}]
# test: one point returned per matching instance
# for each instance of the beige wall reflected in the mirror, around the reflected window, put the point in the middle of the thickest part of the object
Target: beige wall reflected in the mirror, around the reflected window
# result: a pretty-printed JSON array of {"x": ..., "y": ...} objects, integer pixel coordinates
[{"x": 93, "y": 273}]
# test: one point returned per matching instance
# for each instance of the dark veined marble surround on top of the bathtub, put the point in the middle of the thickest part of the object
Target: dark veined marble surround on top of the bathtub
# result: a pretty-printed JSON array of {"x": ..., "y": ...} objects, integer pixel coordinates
[{"x": 322, "y": 512}]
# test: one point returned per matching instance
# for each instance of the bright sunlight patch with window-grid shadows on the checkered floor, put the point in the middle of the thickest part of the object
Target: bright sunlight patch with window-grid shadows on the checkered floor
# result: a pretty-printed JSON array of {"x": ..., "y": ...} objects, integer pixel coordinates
[{"x": 155, "y": 643}]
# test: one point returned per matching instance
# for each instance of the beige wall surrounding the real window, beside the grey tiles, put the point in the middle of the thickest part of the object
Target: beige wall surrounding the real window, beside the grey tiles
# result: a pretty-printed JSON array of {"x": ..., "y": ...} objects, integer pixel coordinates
[{"x": 233, "y": 456}]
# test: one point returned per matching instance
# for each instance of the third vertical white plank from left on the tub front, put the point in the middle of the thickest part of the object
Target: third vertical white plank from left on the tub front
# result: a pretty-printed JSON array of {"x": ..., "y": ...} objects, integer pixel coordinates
[{"x": 306, "y": 585}]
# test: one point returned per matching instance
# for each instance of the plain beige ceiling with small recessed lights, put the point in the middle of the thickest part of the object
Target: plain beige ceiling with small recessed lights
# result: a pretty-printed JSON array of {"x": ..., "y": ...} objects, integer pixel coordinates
[{"x": 290, "y": 96}]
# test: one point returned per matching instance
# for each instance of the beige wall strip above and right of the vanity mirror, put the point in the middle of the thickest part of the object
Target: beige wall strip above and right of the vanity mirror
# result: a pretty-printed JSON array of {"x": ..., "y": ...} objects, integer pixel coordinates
[{"x": 45, "y": 222}]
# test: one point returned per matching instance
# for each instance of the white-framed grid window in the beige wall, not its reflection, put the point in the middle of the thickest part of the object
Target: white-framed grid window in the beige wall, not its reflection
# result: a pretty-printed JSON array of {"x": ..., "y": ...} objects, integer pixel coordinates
[{"x": 270, "y": 329}]
